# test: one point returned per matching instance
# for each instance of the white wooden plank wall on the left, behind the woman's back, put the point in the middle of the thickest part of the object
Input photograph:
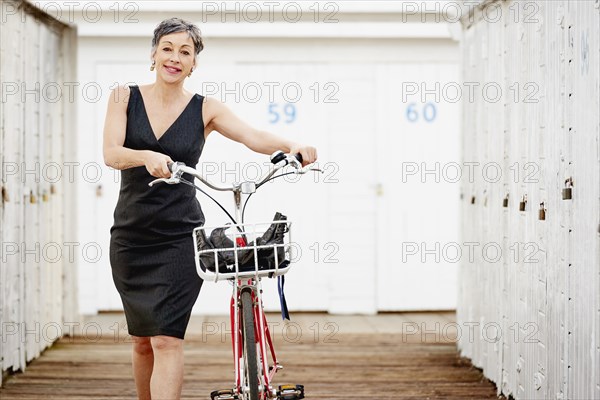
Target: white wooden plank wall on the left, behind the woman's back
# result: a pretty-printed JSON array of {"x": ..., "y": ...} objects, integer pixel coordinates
[{"x": 37, "y": 295}]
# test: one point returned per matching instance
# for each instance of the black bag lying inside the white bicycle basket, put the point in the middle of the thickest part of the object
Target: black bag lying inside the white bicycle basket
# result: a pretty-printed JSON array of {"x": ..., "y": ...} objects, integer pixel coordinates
[{"x": 226, "y": 259}]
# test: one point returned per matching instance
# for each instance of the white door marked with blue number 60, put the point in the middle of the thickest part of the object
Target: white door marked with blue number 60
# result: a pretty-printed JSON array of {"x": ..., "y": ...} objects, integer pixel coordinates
[{"x": 418, "y": 202}]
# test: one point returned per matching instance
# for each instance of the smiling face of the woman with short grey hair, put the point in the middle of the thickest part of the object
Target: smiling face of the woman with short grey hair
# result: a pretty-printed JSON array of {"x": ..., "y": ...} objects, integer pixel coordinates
[{"x": 174, "y": 56}]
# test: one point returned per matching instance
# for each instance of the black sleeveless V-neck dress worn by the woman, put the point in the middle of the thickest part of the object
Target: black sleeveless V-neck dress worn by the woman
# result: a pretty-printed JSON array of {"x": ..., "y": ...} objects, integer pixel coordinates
[{"x": 151, "y": 247}]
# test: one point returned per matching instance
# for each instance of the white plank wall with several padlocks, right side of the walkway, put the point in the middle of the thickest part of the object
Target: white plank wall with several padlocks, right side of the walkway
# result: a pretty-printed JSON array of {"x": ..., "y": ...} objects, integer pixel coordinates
[{"x": 535, "y": 313}]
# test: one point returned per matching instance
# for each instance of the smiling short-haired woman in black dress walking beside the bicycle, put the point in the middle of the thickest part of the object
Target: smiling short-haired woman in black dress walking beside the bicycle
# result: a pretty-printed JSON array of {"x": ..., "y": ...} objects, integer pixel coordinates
[{"x": 151, "y": 250}]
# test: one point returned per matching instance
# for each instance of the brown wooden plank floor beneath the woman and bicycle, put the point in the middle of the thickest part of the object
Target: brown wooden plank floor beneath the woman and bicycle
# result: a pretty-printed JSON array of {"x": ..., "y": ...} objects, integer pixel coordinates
[{"x": 335, "y": 357}]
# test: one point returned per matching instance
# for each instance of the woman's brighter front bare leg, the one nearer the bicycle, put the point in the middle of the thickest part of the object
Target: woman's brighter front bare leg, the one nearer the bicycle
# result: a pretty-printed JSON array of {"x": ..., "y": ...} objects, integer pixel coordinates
[{"x": 167, "y": 375}]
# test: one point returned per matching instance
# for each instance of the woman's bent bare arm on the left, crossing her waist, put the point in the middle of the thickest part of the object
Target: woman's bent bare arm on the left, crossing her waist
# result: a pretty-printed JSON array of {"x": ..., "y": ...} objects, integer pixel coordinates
[{"x": 115, "y": 154}]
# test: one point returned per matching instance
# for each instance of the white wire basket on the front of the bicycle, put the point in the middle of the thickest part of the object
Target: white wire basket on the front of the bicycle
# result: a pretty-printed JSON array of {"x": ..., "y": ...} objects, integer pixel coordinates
[{"x": 243, "y": 250}]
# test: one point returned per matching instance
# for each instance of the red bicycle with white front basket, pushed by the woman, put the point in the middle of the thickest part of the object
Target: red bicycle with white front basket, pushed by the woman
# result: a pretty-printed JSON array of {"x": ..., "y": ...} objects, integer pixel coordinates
[{"x": 244, "y": 258}]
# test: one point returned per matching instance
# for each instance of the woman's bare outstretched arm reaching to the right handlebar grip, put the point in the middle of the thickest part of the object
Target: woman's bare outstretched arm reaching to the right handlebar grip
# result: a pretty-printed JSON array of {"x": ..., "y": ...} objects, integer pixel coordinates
[{"x": 221, "y": 119}]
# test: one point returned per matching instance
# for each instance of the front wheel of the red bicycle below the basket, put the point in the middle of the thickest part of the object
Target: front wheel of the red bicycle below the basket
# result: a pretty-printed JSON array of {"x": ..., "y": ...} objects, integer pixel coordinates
[{"x": 249, "y": 352}]
